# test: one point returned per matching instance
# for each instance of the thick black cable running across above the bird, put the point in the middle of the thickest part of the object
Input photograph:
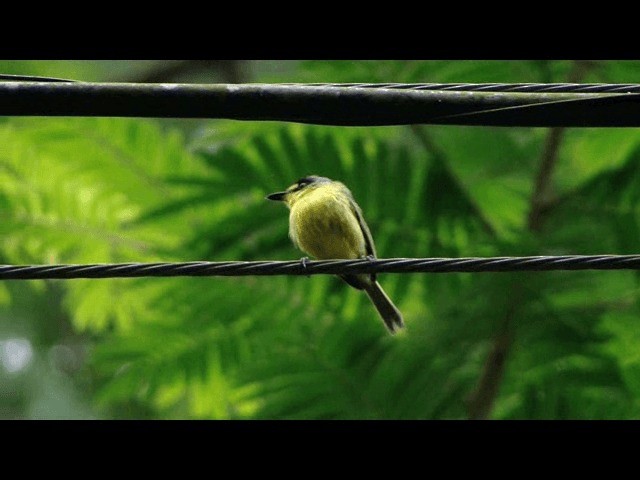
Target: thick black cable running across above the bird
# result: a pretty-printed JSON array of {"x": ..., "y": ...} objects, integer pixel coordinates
[{"x": 335, "y": 104}]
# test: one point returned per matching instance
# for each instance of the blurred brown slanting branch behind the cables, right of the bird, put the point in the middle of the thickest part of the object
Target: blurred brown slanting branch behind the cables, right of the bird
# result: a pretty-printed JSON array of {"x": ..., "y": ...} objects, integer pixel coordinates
[{"x": 481, "y": 401}]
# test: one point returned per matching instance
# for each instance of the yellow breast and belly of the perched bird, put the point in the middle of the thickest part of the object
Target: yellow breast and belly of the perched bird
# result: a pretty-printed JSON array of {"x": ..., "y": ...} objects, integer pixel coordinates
[{"x": 323, "y": 225}]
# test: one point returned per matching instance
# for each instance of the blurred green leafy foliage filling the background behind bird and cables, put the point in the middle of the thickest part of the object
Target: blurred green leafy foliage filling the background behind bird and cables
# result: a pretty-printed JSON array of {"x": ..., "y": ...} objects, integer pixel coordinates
[{"x": 86, "y": 190}]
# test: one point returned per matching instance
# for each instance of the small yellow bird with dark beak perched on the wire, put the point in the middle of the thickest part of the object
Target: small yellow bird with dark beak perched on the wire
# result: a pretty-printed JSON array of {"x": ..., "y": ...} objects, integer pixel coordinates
[{"x": 327, "y": 223}]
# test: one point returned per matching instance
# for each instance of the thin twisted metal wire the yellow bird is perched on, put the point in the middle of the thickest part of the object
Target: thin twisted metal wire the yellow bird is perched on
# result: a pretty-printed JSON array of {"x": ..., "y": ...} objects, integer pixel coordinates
[{"x": 297, "y": 267}]
